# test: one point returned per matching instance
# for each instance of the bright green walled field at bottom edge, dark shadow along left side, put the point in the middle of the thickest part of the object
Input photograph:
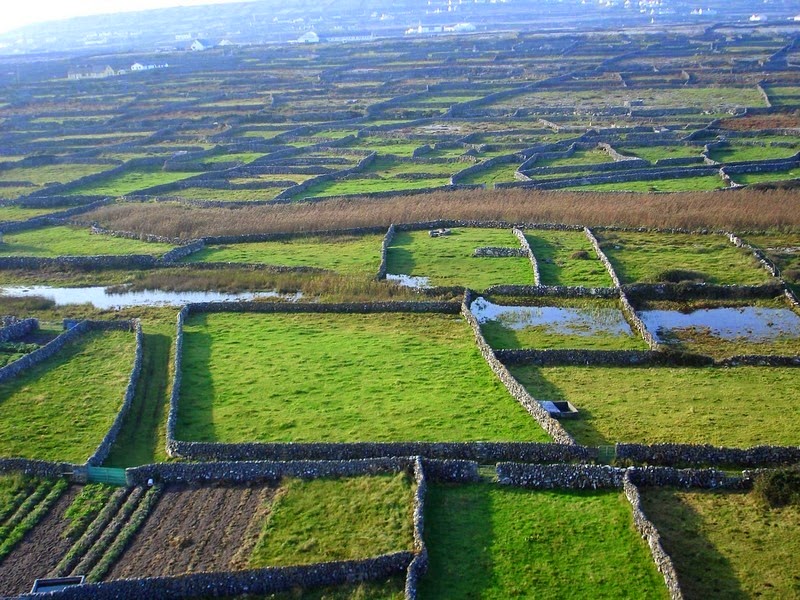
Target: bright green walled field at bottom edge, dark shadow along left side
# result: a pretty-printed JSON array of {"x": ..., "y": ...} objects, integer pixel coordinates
[{"x": 488, "y": 541}]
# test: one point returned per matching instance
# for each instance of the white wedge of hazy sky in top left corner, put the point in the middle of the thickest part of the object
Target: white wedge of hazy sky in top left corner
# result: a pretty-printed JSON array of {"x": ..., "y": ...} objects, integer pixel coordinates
[{"x": 17, "y": 13}]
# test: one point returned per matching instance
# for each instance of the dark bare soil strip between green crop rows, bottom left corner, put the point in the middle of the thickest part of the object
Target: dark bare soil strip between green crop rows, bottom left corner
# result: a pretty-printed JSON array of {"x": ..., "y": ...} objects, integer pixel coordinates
[{"x": 39, "y": 551}]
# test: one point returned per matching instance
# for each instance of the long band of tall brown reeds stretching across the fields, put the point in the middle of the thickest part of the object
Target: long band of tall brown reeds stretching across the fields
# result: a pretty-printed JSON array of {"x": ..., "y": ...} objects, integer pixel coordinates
[{"x": 742, "y": 210}]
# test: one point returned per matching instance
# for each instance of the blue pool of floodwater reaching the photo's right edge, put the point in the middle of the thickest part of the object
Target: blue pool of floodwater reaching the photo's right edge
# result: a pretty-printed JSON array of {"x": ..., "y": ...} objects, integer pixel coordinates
[{"x": 757, "y": 324}]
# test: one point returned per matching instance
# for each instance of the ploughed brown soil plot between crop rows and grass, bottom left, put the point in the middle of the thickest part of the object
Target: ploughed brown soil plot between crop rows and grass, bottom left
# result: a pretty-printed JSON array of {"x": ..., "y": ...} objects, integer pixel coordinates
[{"x": 197, "y": 529}]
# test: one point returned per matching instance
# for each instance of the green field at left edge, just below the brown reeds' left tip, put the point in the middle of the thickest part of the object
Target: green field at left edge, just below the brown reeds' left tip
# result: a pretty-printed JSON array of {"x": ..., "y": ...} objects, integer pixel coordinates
[{"x": 73, "y": 241}]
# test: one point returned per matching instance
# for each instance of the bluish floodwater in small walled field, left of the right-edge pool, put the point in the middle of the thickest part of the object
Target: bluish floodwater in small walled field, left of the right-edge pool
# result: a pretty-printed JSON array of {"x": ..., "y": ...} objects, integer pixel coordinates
[{"x": 564, "y": 321}]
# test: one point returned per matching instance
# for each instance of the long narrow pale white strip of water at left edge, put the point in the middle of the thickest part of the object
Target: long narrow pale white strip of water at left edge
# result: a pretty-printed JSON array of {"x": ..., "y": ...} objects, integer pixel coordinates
[{"x": 99, "y": 298}]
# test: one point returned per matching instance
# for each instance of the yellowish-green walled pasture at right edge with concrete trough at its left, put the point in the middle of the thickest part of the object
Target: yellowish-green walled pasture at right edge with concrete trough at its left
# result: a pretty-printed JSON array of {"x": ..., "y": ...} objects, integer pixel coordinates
[{"x": 724, "y": 407}]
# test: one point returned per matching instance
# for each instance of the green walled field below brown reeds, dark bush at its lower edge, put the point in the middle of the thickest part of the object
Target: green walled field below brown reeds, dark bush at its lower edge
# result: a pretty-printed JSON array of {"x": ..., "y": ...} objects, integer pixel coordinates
[{"x": 652, "y": 257}]
